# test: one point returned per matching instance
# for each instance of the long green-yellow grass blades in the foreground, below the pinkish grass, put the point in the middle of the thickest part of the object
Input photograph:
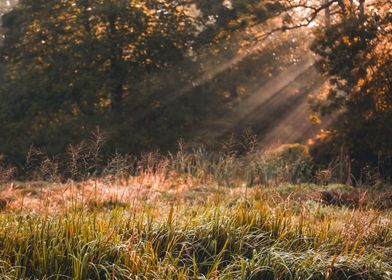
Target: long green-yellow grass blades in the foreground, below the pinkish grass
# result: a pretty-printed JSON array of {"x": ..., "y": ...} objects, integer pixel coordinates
[{"x": 244, "y": 235}]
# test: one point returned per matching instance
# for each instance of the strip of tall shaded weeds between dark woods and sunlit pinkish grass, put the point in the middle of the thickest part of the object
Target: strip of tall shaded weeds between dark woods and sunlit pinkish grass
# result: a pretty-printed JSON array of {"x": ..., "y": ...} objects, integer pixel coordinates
[{"x": 237, "y": 162}]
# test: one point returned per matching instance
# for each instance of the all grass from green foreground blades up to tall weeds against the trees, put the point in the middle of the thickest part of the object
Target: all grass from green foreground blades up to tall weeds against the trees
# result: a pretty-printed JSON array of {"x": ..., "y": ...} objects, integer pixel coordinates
[{"x": 251, "y": 223}]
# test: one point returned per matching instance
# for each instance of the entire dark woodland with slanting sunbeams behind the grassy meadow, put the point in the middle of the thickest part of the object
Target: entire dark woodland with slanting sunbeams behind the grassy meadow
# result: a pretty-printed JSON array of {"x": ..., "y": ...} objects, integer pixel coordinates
[{"x": 147, "y": 73}]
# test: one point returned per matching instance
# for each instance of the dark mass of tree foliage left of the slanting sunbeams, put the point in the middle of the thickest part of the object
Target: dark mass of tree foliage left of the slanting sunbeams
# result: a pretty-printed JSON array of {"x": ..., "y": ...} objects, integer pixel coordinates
[{"x": 77, "y": 65}]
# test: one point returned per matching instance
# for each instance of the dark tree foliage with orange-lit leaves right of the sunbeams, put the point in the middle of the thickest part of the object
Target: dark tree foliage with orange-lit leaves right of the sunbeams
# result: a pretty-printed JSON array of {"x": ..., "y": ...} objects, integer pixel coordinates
[{"x": 355, "y": 53}]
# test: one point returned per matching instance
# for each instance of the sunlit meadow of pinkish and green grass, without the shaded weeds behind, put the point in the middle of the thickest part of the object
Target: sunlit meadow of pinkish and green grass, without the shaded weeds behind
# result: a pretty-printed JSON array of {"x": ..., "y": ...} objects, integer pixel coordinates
[{"x": 167, "y": 222}]
